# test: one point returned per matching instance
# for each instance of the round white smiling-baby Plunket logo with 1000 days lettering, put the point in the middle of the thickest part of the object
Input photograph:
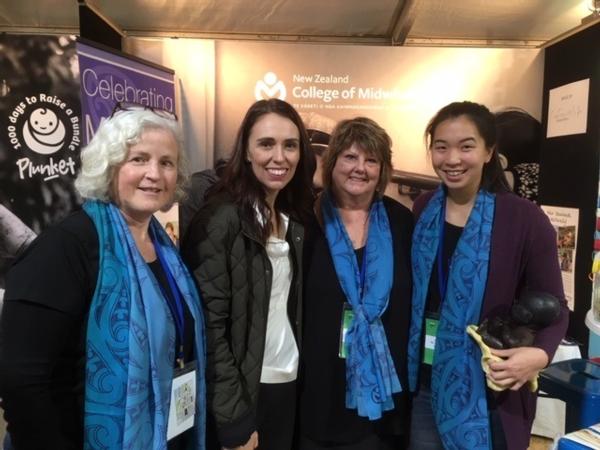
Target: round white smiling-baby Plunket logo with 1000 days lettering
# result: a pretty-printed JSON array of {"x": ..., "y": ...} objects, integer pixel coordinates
[{"x": 43, "y": 125}]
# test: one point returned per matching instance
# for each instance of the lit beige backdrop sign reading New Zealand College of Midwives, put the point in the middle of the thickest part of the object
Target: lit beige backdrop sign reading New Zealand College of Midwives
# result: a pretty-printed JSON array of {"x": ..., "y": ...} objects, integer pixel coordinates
[{"x": 334, "y": 83}]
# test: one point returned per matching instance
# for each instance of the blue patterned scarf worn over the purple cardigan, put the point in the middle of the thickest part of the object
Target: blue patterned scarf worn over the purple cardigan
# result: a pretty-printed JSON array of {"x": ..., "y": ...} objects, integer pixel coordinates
[{"x": 457, "y": 381}]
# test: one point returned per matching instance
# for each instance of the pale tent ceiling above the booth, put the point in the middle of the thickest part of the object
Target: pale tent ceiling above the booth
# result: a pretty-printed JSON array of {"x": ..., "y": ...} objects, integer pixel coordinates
[{"x": 512, "y": 23}]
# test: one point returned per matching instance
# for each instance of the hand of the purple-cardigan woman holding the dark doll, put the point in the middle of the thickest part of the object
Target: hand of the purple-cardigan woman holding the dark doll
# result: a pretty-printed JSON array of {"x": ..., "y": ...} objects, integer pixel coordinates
[{"x": 520, "y": 365}]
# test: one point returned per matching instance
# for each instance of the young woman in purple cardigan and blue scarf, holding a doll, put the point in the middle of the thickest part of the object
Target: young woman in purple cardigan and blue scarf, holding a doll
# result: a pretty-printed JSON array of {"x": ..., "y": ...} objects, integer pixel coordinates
[{"x": 476, "y": 247}]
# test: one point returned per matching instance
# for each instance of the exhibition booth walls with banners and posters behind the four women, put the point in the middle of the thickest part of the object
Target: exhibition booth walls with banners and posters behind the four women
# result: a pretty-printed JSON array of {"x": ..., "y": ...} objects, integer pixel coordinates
[{"x": 209, "y": 84}]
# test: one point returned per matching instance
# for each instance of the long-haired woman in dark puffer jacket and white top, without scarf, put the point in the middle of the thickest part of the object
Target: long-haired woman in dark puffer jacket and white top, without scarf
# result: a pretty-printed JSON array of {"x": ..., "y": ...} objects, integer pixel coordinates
[{"x": 245, "y": 249}]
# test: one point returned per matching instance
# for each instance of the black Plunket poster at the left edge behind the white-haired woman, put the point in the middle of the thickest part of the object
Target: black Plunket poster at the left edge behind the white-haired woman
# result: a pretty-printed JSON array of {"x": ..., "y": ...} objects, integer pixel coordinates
[{"x": 40, "y": 138}]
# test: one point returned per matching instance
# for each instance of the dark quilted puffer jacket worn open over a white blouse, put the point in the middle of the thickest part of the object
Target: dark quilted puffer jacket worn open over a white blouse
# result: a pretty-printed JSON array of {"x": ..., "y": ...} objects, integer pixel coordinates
[{"x": 234, "y": 275}]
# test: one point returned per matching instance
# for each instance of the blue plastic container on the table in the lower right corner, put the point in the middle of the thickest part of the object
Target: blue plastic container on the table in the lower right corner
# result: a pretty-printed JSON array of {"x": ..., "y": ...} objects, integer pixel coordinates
[{"x": 577, "y": 383}]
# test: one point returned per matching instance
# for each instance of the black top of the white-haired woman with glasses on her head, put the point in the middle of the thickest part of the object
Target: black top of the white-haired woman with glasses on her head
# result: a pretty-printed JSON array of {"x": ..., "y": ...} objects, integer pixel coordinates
[{"x": 42, "y": 335}]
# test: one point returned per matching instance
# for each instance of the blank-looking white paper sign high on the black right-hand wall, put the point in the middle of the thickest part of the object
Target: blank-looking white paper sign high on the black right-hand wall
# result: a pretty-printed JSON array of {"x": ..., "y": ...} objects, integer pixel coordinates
[{"x": 567, "y": 109}]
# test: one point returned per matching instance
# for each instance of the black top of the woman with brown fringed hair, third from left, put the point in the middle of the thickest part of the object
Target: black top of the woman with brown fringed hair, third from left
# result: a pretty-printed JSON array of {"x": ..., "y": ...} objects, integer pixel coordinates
[{"x": 323, "y": 414}]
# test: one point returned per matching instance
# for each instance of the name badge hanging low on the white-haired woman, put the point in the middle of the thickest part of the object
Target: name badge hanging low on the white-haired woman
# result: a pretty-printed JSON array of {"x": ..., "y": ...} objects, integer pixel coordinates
[{"x": 183, "y": 400}]
